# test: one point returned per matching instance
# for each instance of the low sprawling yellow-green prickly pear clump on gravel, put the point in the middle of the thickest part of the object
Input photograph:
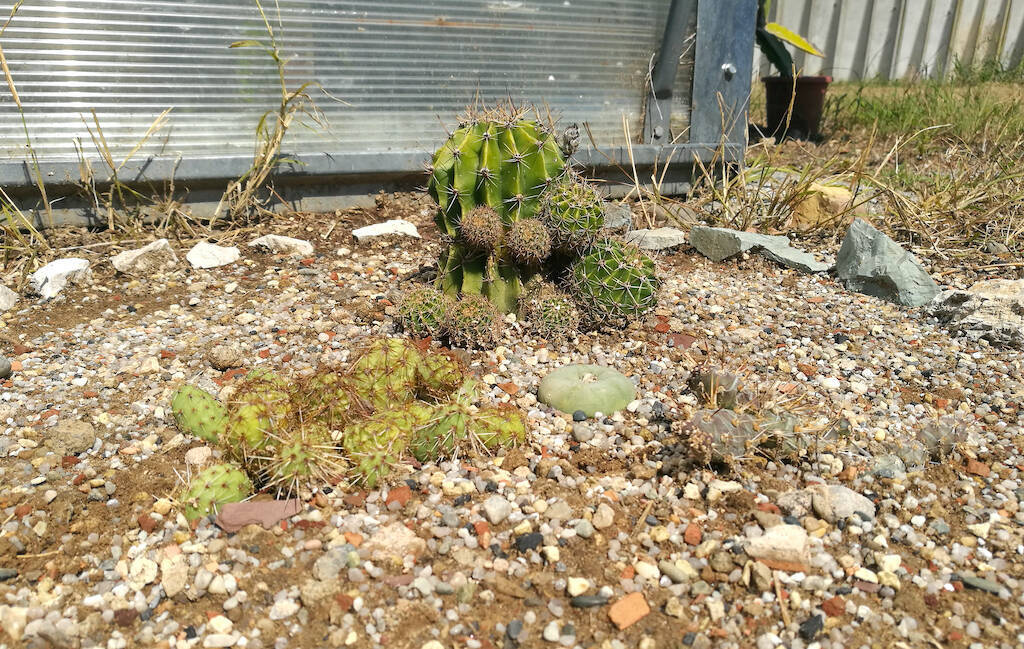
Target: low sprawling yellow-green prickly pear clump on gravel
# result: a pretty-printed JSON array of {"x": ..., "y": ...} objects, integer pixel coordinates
[{"x": 395, "y": 401}]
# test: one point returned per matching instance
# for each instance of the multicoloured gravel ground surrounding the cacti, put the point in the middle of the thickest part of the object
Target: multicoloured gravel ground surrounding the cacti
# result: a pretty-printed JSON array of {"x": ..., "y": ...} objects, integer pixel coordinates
[{"x": 592, "y": 536}]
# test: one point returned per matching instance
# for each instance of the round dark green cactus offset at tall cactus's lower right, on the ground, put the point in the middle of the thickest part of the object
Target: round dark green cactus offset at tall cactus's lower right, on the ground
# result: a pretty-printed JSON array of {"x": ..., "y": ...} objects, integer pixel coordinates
[{"x": 615, "y": 283}]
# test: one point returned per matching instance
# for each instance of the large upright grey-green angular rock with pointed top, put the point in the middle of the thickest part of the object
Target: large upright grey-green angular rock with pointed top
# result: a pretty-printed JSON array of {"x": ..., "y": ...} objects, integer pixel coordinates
[{"x": 872, "y": 264}]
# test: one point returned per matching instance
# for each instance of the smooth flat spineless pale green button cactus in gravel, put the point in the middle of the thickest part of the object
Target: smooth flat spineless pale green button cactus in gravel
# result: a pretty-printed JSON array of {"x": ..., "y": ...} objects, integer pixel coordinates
[{"x": 588, "y": 388}]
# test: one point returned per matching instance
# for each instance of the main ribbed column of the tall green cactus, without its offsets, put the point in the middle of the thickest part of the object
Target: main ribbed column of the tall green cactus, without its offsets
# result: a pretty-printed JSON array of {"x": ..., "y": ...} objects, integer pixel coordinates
[{"x": 501, "y": 160}]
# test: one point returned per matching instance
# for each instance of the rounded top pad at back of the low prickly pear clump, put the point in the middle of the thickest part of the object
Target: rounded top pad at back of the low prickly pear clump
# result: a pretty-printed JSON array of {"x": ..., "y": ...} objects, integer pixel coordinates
[{"x": 385, "y": 372}]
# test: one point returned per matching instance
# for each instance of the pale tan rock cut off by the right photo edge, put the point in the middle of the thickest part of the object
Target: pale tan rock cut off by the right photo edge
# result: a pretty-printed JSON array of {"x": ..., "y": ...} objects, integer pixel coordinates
[{"x": 992, "y": 310}]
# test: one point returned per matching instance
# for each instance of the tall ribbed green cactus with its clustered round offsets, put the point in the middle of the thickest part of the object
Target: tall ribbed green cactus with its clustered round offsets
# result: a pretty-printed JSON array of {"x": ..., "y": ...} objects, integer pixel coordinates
[{"x": 511, "y": 210}]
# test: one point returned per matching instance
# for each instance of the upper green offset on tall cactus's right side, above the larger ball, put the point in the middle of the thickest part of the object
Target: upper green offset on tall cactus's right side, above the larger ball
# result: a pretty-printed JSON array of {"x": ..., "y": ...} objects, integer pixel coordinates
[{"x": 574, "y": 211}]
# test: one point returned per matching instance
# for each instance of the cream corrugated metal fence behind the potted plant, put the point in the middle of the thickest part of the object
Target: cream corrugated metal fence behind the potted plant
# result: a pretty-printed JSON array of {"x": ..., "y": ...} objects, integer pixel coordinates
[{"x": 903, "y": 39}]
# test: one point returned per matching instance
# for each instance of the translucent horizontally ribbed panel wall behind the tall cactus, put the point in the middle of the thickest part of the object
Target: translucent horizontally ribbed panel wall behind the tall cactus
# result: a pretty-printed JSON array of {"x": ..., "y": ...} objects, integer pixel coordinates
[{"x": 403, "y": 68}]
